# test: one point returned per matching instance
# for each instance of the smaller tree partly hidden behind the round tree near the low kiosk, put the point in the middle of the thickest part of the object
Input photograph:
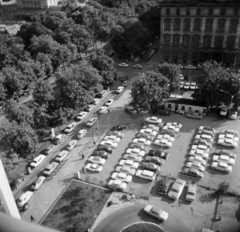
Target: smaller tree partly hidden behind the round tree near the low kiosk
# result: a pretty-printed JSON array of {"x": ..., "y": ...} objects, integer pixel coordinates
[{"x": 172, "y": 72}]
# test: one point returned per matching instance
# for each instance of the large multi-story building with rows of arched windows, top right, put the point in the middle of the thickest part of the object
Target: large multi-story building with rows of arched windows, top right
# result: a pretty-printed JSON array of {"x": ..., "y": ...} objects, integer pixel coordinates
[{"x": 193, "y": 31}]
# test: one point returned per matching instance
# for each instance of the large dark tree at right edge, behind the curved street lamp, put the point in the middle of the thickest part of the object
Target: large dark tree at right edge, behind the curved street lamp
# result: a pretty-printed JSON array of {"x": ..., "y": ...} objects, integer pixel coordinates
[{"x": 213, "y": 78}]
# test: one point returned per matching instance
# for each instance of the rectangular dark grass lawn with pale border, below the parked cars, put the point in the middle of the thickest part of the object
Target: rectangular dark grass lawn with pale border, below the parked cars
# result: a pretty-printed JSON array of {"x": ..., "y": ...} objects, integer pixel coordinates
[{"x": 77, "y": 208}]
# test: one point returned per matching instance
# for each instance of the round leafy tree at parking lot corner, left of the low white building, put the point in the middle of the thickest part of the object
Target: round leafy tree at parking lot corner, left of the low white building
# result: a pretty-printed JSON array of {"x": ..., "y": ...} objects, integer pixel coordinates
[{"x": 149, "y": 90}]
